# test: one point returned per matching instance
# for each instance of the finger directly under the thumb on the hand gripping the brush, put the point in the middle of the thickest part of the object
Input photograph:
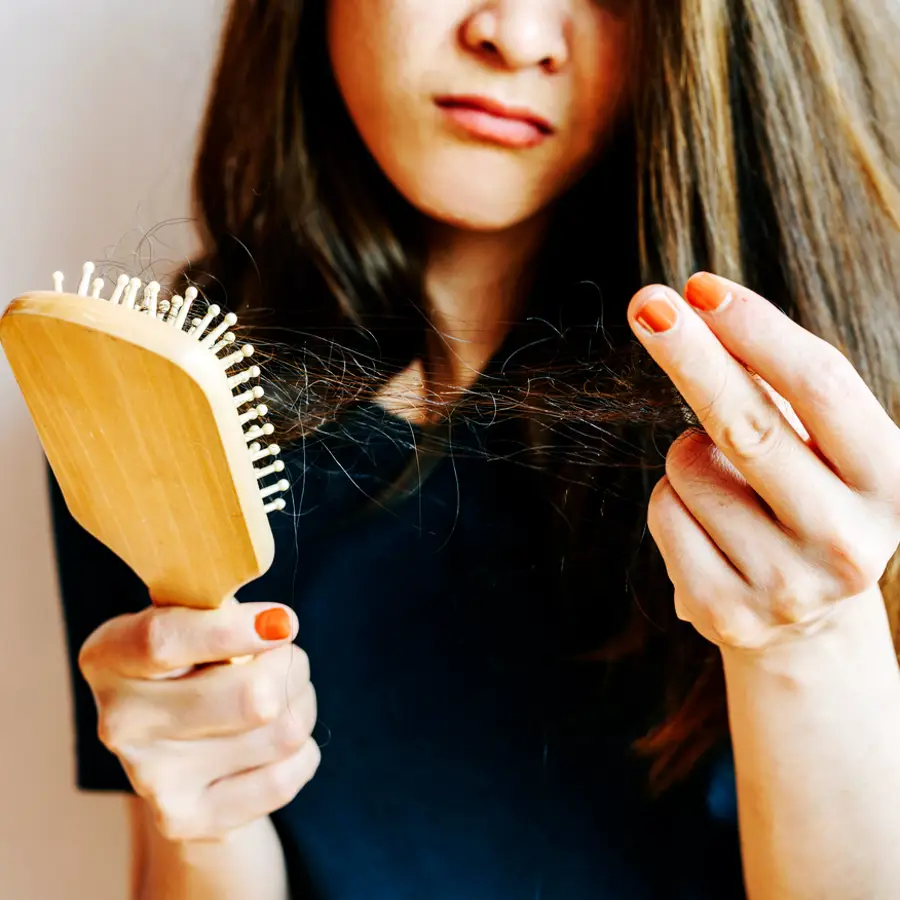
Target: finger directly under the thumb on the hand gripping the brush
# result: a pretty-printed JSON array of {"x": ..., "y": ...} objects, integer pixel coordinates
[{"x": 210, "y": 702}]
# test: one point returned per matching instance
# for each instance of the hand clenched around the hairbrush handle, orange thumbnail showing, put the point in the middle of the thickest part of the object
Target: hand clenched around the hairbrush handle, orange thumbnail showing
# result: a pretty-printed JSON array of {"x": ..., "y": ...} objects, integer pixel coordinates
[{"x": 210, "y": 748}]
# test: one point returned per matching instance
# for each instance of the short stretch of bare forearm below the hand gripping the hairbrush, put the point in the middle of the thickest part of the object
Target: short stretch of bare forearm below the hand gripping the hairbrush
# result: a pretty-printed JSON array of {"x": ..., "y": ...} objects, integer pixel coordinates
[{"x": 250, "y": 863}]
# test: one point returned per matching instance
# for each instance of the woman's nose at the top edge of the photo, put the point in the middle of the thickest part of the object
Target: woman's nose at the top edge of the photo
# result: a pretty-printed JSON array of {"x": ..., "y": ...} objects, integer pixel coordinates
[{"x": 518, "y": 34}]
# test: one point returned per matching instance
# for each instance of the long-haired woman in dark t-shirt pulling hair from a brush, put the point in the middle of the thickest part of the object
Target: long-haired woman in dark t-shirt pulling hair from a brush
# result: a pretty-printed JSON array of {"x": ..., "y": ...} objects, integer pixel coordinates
[{"x": 454, "y": 220}]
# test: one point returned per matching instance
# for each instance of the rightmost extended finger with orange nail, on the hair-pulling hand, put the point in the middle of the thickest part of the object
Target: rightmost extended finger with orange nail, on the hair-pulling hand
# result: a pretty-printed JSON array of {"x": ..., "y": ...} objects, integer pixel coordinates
[{"x": 847, "y": 422}]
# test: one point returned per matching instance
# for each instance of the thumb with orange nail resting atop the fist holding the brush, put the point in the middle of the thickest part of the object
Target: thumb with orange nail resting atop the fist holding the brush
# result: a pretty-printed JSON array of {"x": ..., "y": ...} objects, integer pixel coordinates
[{"x": 161, "y": 640}]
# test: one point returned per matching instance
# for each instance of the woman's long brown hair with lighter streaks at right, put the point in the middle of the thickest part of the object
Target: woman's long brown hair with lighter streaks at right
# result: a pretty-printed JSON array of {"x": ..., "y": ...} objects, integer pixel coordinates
[{"x": 761, "y": 145}]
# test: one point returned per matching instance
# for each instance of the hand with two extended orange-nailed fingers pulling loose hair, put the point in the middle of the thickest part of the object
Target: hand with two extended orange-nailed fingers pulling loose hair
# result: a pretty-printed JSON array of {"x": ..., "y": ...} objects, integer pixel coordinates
[{"x": 788, "y": 502}]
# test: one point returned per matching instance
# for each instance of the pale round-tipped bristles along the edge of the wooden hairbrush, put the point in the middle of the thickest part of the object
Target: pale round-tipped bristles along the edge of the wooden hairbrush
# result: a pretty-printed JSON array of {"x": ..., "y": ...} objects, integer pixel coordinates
[{"x": 212, "y": 331}]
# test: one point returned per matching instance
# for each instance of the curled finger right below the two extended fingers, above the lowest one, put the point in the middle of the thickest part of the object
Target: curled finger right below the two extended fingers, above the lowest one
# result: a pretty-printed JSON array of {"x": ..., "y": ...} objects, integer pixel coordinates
[{"x": 730, "y": 512}]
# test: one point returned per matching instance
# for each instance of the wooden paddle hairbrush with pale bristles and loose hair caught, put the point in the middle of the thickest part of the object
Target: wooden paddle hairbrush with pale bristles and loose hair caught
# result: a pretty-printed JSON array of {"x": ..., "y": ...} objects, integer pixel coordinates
[{"x": 151, "y": 422}]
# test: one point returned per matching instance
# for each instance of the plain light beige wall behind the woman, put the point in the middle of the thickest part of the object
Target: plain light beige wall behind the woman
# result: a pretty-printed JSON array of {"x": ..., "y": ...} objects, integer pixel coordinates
[{"x": 100, "y": 102}]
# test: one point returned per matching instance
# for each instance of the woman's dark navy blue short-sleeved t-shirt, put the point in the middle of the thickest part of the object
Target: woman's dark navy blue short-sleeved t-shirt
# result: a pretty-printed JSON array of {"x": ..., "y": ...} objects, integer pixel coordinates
[{"x": 462, "y": 757}]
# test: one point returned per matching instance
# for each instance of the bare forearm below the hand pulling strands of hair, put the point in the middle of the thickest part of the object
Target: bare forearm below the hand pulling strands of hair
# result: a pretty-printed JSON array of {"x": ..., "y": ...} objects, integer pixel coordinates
[{"x": 816, "y": 732}]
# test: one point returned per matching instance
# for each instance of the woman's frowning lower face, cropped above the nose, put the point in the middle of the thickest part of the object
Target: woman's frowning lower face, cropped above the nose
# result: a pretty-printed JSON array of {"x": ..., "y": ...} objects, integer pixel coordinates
[{"x": 481, "y": 112}]
